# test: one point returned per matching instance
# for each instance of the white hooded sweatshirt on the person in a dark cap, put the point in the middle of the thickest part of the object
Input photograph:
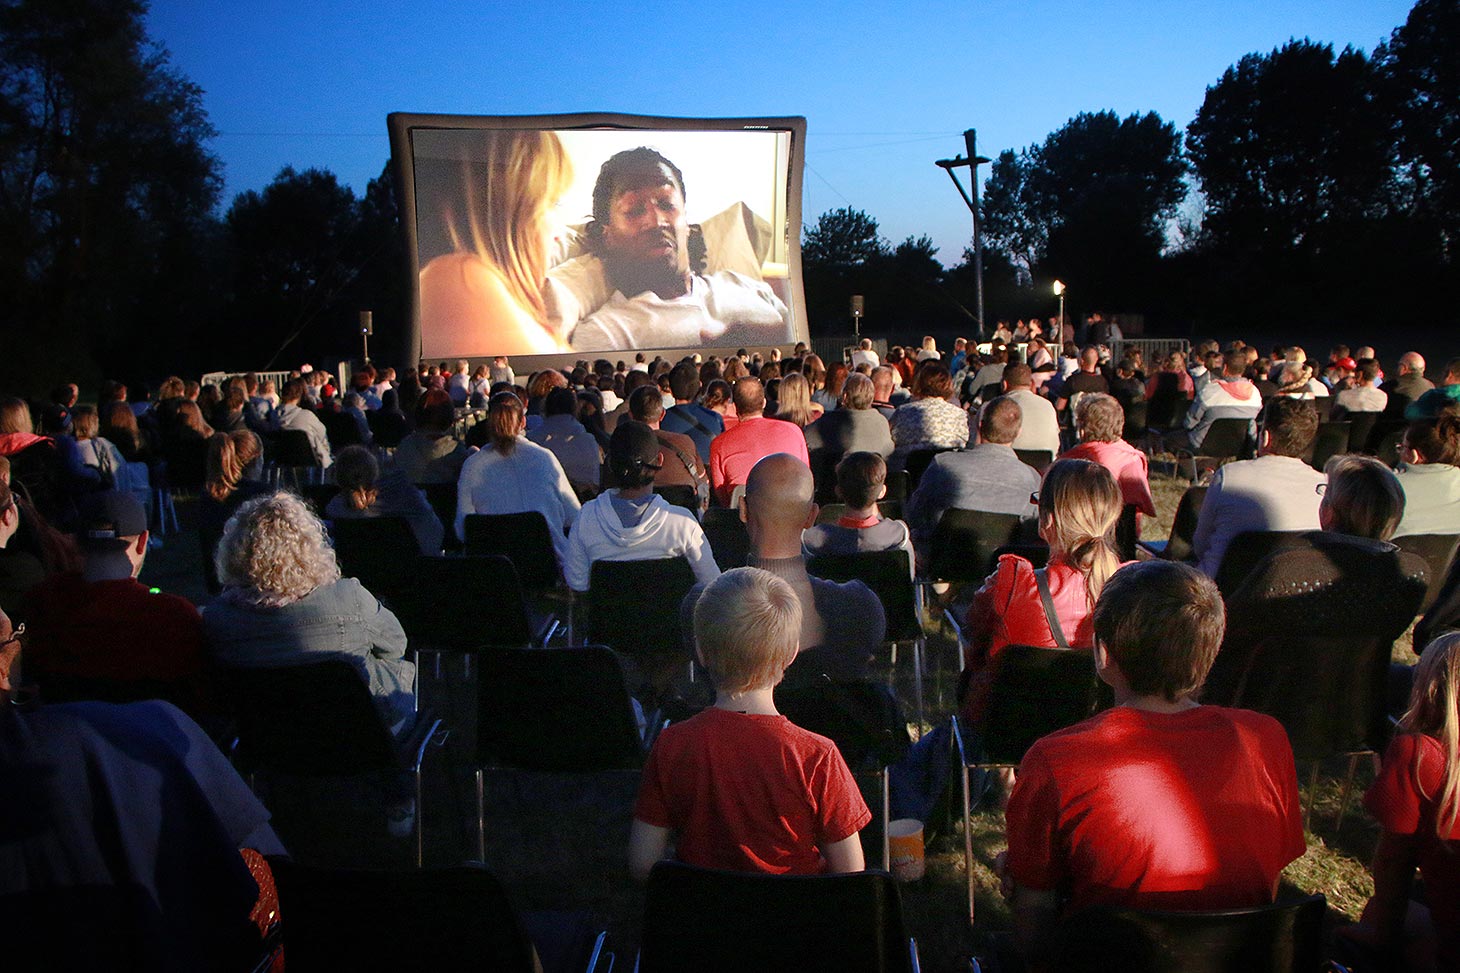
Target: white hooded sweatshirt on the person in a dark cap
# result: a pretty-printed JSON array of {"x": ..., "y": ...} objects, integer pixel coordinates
[{"x": 662, "y": 531}]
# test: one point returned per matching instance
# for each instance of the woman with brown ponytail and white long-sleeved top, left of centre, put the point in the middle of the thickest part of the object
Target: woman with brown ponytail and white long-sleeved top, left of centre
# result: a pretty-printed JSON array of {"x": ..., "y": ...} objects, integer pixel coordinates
[{"x": 515, "y": 476}]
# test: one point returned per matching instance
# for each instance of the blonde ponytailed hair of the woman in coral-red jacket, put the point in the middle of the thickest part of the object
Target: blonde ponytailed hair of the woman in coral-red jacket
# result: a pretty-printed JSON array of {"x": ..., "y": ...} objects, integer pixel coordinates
[{"x": 1083, "y": 505}]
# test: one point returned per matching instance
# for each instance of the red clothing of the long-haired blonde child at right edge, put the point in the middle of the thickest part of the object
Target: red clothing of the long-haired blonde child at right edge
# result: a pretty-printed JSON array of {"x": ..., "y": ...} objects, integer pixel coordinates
[{"x": 1414, "y": 768}]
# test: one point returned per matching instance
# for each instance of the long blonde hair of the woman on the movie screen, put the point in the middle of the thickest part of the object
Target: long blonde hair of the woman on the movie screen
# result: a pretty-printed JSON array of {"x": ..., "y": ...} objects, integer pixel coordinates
[{"x": 526, "y": 175}]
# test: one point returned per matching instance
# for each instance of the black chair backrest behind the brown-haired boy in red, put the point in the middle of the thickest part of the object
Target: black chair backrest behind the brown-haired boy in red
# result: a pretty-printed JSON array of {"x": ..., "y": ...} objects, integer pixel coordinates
[{"x": 1281, "y": 939}]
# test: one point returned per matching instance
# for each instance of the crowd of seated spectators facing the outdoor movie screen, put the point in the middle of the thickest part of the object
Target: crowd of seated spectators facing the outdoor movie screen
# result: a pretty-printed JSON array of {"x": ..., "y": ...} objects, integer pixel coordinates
[{"x": 769, "y": 436}]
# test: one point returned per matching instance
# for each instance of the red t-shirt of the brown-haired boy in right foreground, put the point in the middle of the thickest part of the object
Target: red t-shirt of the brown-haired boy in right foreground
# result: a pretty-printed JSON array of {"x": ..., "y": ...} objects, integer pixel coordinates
[{"x": 1177, "y": 812}]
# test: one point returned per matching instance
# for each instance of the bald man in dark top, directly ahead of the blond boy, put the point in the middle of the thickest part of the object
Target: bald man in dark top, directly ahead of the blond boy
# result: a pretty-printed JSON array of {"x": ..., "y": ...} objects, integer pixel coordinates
[{"x": 842, "y": 625}]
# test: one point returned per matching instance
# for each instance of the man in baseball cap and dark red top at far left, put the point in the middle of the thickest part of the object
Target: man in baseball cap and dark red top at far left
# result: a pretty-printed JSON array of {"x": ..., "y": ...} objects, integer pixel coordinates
[{"x": 100, "y": 630}]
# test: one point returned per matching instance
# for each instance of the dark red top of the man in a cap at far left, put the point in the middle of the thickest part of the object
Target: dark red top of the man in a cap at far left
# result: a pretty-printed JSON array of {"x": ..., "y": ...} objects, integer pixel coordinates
[{"x": 112, "y": 630}]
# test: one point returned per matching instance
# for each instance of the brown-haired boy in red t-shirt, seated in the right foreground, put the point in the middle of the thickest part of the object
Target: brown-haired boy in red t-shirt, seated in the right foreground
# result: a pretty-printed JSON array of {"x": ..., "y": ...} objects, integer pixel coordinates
[{"x": 1159, "y": 803}]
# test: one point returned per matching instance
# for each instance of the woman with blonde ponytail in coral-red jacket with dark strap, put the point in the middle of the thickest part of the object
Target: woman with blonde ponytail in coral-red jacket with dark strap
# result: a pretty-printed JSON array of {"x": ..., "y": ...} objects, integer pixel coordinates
[{"x": 1053, "y": 607}]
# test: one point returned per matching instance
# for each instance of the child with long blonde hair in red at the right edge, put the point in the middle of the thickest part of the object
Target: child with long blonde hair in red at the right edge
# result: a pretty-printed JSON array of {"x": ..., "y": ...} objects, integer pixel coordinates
[{"x": 1417, "y": 800}]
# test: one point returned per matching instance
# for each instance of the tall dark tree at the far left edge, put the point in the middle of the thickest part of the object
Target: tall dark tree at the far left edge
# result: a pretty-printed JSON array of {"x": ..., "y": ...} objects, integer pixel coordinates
[{"x": 107, "y": 185}]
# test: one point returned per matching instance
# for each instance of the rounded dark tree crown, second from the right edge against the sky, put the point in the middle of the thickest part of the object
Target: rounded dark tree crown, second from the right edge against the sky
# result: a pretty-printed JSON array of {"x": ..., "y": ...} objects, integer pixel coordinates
[{"x": 1291, "y": 145}]
